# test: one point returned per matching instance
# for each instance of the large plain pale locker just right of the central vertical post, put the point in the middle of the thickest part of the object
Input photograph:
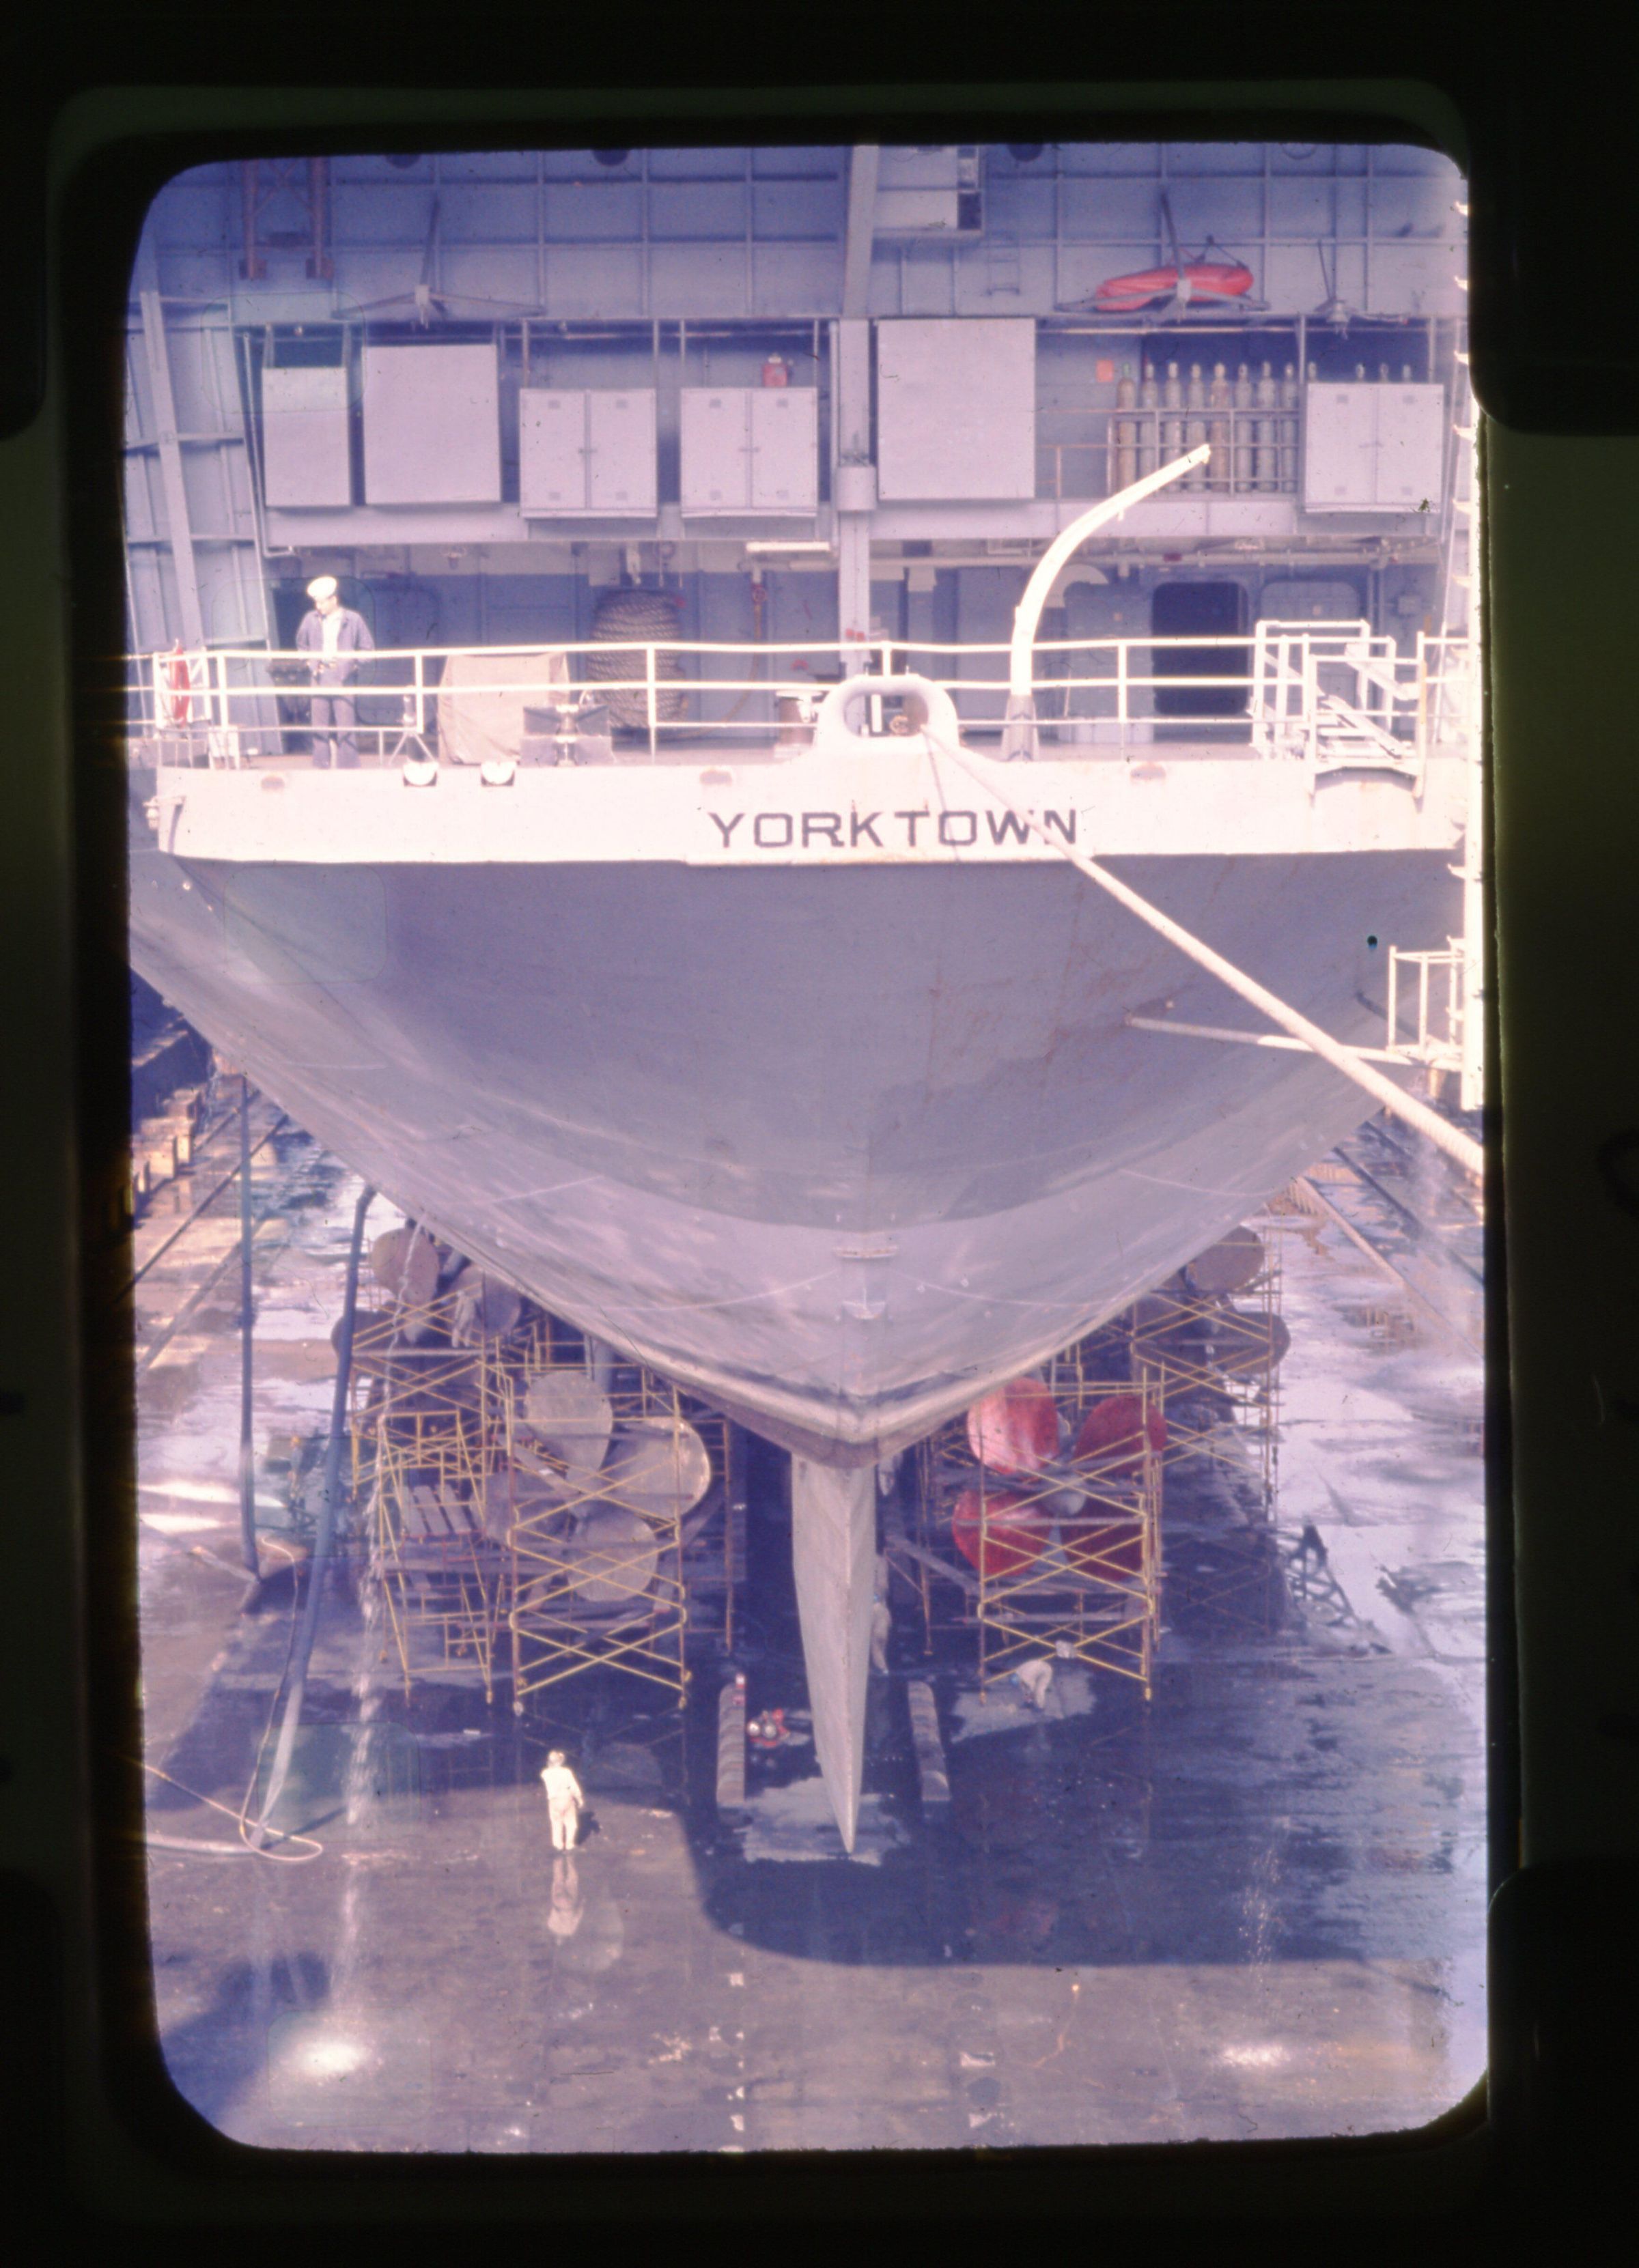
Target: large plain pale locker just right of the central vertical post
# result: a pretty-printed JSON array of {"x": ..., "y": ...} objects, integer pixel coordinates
[{"x": 957, "y": 409}]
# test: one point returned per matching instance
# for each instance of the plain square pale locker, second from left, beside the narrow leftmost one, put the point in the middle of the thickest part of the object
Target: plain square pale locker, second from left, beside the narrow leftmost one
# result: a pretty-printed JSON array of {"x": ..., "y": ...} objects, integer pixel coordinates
[{"x": 432, "y": 425}]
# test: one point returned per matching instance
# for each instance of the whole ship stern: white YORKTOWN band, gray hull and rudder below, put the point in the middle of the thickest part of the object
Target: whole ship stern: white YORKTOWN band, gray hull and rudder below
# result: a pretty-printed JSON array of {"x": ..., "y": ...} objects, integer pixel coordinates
[{"x": 809, "y": 1088}]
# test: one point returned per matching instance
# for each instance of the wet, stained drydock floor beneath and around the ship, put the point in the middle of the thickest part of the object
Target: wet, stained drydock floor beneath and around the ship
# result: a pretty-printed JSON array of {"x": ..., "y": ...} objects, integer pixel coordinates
[{"x": 1247, "y": 1911}]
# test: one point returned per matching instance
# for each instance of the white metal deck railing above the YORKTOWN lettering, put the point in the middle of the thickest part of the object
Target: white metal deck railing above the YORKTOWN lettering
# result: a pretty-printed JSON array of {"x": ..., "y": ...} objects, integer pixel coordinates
[{"x": 1320, "y": 693}]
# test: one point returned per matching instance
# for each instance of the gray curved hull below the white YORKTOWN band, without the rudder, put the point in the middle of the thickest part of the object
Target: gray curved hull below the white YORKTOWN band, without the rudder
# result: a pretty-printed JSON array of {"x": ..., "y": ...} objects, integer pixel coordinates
[{"x": 839, "y": 1149}]
